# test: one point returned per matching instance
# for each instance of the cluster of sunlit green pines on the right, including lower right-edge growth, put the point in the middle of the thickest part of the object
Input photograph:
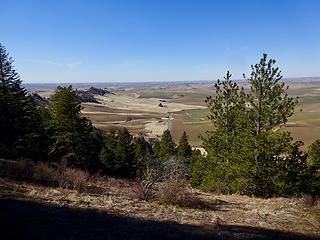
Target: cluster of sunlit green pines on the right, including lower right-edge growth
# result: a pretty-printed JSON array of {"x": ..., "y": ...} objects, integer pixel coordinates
[{"x": 248, "y": 152}]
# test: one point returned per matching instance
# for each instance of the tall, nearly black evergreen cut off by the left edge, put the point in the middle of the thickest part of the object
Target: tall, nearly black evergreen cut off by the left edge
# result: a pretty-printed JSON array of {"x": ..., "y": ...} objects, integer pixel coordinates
[{"x": 20, "y": 125}]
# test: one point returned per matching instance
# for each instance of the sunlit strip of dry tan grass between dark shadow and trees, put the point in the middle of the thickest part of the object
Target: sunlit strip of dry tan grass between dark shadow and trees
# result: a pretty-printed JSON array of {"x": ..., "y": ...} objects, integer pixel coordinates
[{"x": 116, "y": 196}]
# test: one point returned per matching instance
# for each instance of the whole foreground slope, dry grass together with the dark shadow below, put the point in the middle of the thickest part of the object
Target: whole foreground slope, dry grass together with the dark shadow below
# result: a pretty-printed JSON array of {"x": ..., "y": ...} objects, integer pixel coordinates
[{"x": 108, "y": 209}]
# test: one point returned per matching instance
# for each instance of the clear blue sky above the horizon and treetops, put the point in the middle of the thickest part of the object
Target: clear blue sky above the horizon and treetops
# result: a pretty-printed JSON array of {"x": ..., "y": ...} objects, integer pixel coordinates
[{"x": 158, "y": 40}]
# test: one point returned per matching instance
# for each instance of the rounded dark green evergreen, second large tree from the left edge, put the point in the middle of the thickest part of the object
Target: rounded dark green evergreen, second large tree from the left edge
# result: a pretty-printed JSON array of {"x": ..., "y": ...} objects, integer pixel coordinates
[{"x": 73, "y": 137}]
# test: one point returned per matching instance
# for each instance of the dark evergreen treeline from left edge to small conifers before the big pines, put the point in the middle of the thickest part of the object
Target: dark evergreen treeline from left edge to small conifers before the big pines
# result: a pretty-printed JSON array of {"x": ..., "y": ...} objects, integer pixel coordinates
[{"x": 59, "y": 133}]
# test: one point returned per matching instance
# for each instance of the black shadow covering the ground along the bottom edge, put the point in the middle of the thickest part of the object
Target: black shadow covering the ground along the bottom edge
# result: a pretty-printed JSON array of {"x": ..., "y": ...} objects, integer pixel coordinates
[{"x": 31, "y": 220}]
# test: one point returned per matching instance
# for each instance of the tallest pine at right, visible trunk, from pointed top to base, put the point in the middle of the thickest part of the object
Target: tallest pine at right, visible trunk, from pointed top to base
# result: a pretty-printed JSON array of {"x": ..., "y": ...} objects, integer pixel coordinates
[{"x": 270, "y": 107}]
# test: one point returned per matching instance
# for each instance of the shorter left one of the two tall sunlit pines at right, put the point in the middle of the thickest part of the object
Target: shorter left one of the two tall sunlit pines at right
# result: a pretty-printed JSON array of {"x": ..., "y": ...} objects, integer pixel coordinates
[{"x": 227, "y": 167}]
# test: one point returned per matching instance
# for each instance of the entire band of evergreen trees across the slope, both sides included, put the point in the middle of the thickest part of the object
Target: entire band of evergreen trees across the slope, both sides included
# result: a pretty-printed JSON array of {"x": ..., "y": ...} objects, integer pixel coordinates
[{"x": 247, "y": 151}]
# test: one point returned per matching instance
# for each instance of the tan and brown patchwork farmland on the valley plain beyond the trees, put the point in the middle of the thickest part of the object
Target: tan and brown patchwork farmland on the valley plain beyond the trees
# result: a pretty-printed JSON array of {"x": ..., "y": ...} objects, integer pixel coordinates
[{"x": 143, "y": 108}]
